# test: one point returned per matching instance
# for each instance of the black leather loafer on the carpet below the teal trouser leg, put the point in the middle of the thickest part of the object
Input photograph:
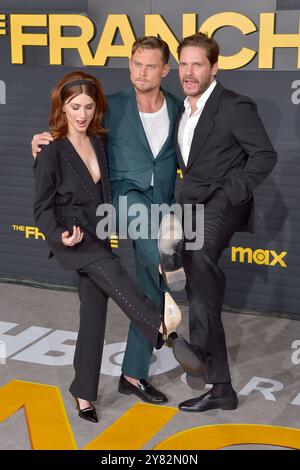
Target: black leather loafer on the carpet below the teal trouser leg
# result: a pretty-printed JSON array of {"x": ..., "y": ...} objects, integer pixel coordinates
[{"x": 144, "y": 390}]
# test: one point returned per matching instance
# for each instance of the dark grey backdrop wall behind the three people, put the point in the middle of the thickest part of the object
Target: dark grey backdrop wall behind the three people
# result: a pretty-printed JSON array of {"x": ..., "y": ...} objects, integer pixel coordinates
[{"x": 249, "y": 285}]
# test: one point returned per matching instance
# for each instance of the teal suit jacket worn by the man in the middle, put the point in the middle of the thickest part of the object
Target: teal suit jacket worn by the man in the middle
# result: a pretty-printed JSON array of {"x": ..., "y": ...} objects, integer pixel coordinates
[{"x": 130, "y": 159}]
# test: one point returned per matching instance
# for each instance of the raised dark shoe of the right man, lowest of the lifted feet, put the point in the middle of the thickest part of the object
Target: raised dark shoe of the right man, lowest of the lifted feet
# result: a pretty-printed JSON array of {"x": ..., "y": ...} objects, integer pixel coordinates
[{"x": 191, "y": 361}]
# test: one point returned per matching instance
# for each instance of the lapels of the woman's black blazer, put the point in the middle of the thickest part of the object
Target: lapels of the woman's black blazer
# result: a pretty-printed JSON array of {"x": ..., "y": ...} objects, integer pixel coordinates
[{"x": 79, "y": 168}]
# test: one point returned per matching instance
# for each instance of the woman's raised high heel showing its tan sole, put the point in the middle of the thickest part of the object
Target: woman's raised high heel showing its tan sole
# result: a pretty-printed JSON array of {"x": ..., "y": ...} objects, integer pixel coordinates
[{"x": 172, "y": 318}]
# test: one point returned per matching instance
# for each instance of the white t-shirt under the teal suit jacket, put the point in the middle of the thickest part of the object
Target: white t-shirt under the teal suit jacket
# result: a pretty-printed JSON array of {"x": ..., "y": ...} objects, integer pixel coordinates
[{"x": 156, "y": 126}]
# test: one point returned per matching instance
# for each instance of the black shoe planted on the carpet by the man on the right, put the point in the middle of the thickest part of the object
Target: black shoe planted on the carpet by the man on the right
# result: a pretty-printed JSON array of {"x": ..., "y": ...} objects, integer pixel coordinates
[{"x": 207, "y": 402}]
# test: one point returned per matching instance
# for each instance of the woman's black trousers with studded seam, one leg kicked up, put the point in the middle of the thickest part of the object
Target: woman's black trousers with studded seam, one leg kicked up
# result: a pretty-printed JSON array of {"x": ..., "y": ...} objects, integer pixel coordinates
[{"x": 98, "y": 281}]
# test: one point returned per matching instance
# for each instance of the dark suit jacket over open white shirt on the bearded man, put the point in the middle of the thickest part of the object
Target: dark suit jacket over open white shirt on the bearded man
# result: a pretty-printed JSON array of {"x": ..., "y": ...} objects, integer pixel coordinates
[{"x": 230, "y": 149}]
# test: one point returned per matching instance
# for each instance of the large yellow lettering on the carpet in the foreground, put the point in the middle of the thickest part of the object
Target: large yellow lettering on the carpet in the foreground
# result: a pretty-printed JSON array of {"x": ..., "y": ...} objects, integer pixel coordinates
[{"x": 55, "y": 433}]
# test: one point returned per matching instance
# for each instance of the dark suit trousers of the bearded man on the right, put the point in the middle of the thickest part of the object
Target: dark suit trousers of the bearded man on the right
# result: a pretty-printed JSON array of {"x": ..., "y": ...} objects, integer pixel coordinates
[{"x": 206, "y": 282}]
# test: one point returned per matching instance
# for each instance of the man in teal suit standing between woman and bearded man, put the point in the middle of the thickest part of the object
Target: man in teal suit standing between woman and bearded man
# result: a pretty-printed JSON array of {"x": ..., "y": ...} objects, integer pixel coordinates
[{"x": 142, "y": 166}]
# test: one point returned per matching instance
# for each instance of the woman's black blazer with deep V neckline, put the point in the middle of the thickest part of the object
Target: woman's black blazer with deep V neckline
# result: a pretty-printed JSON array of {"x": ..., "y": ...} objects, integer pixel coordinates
[{"x": 66, "y": 195}]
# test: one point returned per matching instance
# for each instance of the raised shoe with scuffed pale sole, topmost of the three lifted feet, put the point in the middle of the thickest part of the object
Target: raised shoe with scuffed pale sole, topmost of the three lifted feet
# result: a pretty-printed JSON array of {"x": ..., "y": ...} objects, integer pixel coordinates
[{"x": 170, "y": 245}]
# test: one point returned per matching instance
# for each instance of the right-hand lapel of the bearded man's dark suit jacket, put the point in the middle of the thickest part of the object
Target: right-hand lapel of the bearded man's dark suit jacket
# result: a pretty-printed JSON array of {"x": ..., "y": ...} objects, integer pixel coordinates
[{"x": 205, "y": 124}]
